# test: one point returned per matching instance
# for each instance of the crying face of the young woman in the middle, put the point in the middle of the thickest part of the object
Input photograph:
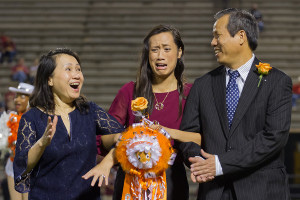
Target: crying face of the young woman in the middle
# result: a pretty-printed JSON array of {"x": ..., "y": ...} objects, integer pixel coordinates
[{"x": 163, "y": 54}]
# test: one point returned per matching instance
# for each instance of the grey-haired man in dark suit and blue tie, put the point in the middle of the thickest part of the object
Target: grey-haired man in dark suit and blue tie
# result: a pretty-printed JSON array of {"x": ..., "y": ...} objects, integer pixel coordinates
[{"x": 244, "y": 122}]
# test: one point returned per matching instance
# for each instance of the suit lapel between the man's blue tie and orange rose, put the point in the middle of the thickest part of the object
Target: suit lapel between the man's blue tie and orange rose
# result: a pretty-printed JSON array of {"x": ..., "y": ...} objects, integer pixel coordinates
[{"x": 249, "y": 92}]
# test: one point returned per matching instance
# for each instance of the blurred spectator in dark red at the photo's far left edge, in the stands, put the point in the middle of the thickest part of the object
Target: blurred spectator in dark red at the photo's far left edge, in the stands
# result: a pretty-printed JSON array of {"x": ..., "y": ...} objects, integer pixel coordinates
[{"x": 8, "y": 49}]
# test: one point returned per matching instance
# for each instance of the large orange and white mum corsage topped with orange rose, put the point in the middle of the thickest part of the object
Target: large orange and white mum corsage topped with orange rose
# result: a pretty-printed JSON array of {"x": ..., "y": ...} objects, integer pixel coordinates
[{"x": 144, "y": 155}]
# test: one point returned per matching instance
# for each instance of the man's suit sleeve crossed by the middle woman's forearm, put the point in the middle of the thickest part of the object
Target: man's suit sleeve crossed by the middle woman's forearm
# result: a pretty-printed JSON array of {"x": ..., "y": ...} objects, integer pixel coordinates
[{"x": 190, "y": 122}]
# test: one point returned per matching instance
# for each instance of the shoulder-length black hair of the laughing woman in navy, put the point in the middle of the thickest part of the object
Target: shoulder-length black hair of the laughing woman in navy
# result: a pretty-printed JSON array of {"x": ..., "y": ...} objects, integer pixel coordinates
[{"x": 42, "y": 95}]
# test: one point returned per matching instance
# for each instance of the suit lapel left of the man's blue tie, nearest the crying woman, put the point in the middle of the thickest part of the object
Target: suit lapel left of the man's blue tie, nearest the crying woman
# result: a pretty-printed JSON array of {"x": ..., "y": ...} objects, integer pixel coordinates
[{"x": 219, "y": 92}]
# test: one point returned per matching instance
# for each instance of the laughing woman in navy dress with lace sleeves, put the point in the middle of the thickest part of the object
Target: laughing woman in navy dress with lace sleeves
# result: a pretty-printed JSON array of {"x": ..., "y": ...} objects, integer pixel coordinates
[{"x": 56, "y": 142}]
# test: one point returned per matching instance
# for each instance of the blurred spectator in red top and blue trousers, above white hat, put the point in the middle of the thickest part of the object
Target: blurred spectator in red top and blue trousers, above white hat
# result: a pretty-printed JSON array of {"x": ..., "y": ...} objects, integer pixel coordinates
[{"x": 20, "y": 71}]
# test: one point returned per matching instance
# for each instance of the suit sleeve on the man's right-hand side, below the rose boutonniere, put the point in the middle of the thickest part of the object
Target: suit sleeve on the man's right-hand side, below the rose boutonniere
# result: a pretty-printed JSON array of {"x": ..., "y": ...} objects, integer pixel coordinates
[{"x": 270, "y": 141}]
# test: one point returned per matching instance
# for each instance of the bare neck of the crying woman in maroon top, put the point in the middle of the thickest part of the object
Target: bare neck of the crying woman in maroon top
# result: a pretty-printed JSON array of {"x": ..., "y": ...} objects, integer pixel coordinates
[{"x": 161, "y": 85}]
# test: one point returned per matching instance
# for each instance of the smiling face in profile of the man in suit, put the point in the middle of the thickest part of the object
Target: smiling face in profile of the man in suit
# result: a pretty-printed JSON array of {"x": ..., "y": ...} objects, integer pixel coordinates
[{"x": 227, "y": 48}]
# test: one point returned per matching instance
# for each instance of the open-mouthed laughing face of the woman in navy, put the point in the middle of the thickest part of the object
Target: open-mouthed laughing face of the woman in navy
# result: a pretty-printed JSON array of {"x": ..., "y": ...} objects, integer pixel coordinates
[{"x": 67, "y": 78}]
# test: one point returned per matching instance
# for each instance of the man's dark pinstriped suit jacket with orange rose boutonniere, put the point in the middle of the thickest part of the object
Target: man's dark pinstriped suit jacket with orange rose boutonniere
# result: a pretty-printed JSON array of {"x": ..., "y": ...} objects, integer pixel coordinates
[{"x": 251, "y": 152}]
